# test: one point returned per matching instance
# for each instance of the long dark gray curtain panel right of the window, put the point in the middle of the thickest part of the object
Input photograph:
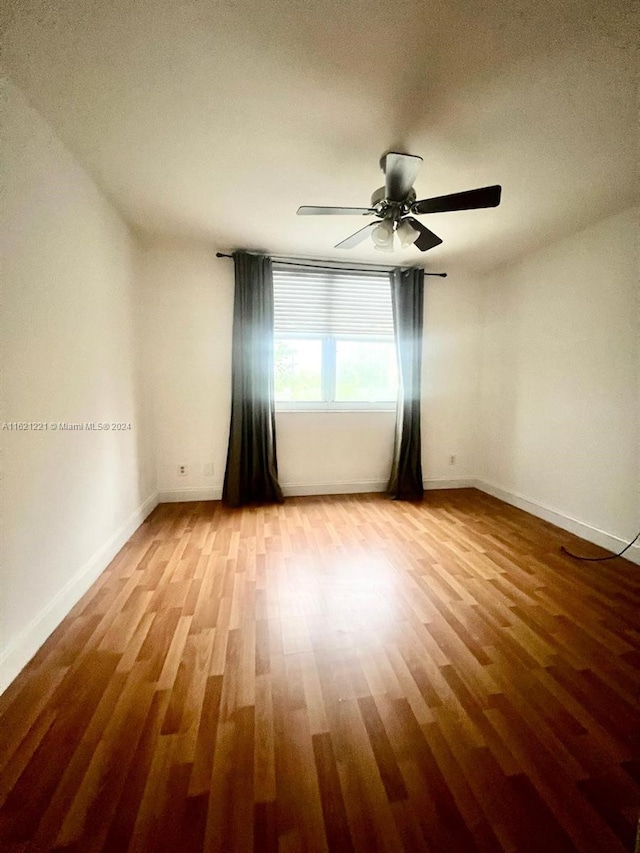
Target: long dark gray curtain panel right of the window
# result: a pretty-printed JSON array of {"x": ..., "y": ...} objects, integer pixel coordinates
[{"x": 407, "y": 297}]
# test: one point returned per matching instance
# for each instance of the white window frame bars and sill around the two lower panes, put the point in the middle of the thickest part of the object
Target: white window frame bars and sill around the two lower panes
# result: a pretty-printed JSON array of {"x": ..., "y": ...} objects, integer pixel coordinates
[{"x": 328, "y": 377}]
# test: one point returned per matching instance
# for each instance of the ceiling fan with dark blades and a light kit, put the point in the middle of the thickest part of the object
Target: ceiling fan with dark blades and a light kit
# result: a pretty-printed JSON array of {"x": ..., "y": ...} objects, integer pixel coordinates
[{"x": 395, "y": 206}]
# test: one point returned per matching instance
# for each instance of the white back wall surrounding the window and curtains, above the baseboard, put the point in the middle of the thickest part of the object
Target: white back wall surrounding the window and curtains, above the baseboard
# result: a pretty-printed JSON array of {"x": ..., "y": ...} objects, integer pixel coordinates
[{"x": 189, "y": 297}]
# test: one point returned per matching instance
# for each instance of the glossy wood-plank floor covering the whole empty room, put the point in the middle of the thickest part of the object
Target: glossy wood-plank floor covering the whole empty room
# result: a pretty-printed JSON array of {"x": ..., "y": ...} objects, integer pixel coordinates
[{"x": 342, "y": 673}]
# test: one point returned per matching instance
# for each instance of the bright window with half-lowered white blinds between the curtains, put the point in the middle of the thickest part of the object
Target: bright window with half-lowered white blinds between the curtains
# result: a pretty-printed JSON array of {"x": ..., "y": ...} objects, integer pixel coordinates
[{"x": 334, "y": 341}]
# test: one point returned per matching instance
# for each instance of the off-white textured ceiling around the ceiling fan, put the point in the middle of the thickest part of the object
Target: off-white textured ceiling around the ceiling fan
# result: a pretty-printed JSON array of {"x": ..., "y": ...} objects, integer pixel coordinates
[{"x": 211, "y": 120}]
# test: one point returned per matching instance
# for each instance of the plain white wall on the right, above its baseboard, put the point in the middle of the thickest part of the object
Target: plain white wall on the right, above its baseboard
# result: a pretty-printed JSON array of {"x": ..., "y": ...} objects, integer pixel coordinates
[{"x": 561, "y": 380}]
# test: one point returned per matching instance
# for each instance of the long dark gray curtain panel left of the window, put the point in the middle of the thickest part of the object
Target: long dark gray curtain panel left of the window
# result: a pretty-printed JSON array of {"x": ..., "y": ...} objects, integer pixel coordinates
[{"x": 252, "y": 472}]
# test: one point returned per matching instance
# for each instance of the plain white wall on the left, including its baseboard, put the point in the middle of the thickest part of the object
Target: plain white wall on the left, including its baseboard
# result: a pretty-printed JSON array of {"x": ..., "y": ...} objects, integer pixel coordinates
[{"x": 69, "y": 500}]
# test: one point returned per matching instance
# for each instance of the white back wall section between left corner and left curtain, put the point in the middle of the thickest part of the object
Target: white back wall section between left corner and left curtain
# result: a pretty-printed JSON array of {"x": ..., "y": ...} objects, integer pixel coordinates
[{"x": 189, "y": 314}]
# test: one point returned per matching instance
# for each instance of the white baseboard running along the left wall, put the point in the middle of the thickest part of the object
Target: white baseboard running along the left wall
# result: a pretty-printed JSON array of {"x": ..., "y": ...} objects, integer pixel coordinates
[{"x": 24, "y": 646}]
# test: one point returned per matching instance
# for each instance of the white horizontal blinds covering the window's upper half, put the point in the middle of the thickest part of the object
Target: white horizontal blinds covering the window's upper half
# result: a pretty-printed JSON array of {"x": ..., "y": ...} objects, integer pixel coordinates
[{"x": 331, "y": 302}]
